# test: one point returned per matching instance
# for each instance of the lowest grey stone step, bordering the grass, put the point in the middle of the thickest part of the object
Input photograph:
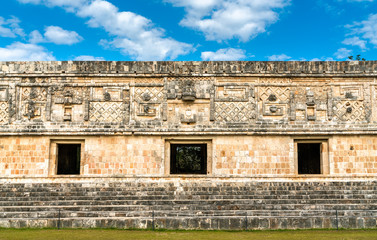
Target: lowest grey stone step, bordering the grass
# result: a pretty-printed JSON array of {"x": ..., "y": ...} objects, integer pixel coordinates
[{"x": 205, "y": 222}]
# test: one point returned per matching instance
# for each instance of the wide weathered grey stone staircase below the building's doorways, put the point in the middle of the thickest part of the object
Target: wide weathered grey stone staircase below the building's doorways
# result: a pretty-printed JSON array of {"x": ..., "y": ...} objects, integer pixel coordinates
[{"x": 192, "y": 204}]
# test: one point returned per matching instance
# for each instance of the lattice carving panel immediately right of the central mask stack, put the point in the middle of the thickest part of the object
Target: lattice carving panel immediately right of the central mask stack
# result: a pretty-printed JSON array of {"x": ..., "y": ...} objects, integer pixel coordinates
[{"x": 234, "y": 111}]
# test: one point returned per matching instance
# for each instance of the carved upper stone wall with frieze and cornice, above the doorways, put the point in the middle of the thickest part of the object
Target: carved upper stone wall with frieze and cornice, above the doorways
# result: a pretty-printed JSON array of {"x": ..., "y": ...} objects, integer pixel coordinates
[{"x": 59, "y": 98}]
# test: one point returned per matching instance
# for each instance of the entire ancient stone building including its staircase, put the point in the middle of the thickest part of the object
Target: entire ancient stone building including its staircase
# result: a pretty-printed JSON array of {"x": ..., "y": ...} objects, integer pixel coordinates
[{"x": 211, "y": 145}]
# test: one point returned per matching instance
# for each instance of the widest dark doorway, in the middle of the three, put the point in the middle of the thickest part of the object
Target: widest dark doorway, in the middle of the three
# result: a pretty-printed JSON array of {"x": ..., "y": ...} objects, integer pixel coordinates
[{"x": 188, "y": 158}]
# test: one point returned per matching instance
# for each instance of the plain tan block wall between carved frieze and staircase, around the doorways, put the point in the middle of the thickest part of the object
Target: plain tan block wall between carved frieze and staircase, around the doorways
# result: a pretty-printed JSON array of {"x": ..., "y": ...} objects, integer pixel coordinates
[{"x": 145, "y": 156}]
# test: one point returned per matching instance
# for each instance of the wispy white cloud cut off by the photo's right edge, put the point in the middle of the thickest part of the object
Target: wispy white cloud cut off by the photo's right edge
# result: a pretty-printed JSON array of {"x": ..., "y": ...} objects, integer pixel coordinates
[{"x": 366, "y": 29}]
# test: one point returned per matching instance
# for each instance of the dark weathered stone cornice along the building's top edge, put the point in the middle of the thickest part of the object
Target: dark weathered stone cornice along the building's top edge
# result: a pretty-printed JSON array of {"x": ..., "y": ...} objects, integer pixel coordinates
[{"x": 190, "y": 68}]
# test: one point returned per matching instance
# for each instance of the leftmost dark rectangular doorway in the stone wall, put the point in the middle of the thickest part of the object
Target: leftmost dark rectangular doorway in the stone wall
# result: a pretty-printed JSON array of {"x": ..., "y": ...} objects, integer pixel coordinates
[{"x": 69, "y": 158}]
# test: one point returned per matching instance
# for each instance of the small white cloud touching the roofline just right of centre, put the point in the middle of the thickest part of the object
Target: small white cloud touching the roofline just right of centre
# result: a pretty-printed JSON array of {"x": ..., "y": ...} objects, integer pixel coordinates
[{"x": 226, "y": 54}]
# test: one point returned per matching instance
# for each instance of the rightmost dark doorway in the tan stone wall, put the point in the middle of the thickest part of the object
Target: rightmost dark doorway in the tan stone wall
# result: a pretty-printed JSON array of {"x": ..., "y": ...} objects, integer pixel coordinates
[{"x": 309, "y": 158}]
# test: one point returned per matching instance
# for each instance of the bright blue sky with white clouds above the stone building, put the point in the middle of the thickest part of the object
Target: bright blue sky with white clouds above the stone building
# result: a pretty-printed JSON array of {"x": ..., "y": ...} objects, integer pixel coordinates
[{"x": 187, "y": 30}]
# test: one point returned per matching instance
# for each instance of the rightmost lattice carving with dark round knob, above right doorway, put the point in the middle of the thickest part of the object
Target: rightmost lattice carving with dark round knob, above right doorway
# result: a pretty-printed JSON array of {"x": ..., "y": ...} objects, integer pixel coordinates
[{"x": 352, "y": 111}]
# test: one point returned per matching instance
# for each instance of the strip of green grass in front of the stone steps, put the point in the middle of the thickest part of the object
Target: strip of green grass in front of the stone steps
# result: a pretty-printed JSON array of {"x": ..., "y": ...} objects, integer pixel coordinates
[{"x": 112, "y": 234}]
